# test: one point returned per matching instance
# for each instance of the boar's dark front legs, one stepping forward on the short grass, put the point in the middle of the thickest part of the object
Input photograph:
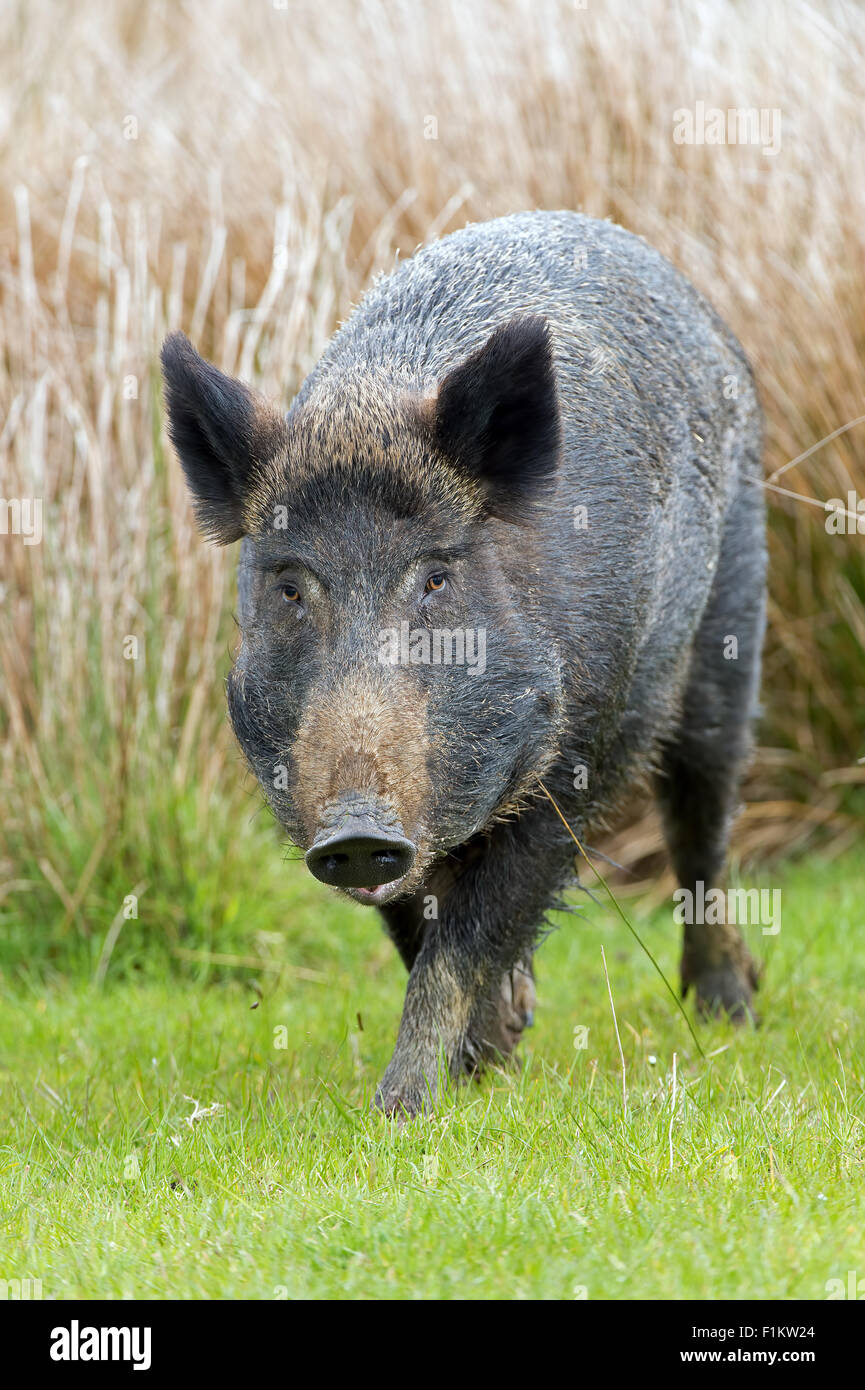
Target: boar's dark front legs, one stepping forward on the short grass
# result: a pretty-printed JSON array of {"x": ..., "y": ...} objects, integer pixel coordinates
[{"x": 471, "y": 990}]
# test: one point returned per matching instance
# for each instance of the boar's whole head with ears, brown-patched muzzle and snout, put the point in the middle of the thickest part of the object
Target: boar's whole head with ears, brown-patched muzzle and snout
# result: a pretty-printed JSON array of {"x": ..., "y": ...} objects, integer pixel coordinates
[{"x": 394, "y": 690}]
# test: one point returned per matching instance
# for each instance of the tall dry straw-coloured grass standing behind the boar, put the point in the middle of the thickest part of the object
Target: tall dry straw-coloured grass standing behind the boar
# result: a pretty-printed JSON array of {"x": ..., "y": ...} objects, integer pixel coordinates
[{"x": 241, "y": 172}]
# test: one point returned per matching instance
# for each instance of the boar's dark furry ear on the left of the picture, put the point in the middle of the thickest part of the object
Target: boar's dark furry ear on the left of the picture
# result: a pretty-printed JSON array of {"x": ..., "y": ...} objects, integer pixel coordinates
[{"x": 223, "y": 434}]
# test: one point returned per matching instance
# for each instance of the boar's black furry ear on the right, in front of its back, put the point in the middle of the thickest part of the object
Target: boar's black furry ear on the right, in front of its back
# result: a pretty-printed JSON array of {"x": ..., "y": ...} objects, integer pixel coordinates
[{"x": 497, "y": 415}]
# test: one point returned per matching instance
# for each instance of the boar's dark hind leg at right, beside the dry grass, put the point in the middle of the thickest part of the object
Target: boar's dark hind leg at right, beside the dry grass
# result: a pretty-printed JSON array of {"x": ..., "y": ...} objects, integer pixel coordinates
[{"x": 702, "y": 769}]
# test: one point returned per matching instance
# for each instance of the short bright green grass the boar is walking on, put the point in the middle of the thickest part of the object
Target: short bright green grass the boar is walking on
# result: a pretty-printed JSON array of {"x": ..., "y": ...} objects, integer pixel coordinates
[{"x": 522, "y": 1186}]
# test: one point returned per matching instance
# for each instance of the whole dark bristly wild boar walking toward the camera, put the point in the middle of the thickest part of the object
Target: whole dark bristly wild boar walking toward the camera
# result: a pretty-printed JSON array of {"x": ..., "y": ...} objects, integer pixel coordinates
[{"x": 510, "y": 533}]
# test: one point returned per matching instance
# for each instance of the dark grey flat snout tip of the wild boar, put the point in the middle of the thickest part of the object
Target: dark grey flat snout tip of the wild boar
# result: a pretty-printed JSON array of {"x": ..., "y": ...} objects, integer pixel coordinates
[{"x": 361, "y": 853}]
